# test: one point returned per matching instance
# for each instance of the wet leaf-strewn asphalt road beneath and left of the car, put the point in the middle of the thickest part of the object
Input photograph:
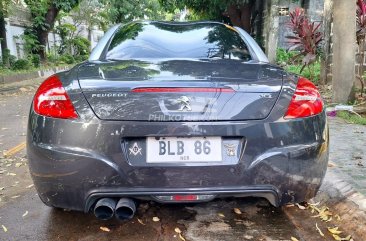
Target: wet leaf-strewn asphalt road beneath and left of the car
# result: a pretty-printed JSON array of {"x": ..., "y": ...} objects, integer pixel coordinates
[{"x": 24, "y": 217}]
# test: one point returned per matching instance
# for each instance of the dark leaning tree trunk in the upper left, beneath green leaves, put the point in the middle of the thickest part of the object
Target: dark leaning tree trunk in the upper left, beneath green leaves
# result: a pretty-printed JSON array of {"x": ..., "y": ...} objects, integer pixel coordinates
[{"x": 42, "y": 33}]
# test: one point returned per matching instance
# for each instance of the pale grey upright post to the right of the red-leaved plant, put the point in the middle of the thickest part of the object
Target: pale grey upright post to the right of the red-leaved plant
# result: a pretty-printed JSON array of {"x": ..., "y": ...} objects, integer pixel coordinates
[{"x": 344, "y": 49}]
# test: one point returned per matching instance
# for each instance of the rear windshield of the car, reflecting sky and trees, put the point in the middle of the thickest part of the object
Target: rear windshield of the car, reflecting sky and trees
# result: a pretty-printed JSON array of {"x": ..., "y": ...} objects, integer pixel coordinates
[{"x": 165, "y": 40}]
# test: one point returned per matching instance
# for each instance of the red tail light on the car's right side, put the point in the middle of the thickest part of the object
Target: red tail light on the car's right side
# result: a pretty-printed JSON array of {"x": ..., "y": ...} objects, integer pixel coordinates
[{"x": 306, "y": 101}]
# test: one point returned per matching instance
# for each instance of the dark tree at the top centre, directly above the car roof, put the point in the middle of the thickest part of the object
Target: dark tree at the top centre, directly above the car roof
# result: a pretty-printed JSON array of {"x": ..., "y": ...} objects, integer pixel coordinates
[{"x": 240, "y": 12}]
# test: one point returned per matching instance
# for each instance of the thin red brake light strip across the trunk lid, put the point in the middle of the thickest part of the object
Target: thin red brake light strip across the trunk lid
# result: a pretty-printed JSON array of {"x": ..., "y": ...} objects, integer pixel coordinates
[{"x": 177, "y": 90}]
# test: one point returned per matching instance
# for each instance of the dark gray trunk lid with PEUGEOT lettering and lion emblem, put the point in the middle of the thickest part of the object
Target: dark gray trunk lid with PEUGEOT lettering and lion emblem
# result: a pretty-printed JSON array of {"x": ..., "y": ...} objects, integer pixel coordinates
[{"x": 180, "y": 90}]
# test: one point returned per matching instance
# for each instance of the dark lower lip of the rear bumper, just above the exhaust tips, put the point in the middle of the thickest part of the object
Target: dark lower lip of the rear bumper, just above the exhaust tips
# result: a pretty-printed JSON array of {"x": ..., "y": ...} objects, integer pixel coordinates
[{"x": 265, "y": 191}]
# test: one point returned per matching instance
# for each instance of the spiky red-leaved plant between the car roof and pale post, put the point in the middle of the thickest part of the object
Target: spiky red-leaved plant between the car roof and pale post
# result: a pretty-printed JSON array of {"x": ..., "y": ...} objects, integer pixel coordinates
[{"x": 305, "y": 38}]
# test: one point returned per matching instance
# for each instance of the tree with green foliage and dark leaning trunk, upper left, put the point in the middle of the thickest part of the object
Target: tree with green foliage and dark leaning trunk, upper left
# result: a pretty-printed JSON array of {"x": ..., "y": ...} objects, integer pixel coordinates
[{"x": 44, "y": 14}]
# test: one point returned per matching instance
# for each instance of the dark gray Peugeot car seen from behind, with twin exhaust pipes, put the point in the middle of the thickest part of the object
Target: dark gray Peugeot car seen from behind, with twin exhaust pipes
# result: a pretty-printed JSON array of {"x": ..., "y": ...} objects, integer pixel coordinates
[{"x": 175, "y": 112}]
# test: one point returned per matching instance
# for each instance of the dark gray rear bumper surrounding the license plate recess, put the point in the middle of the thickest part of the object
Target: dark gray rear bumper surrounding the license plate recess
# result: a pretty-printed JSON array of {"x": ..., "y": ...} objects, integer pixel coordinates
[{"x": 73, "y": 163}]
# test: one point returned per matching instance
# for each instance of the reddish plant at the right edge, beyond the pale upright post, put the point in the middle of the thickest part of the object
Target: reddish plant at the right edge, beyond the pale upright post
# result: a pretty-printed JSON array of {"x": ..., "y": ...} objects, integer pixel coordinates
[{"x": 361, "y": 40}]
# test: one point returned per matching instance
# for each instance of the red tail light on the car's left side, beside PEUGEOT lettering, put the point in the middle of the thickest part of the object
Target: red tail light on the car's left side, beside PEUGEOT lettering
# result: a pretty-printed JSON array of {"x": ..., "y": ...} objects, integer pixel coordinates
[{"x": 52, "y": 100}]
